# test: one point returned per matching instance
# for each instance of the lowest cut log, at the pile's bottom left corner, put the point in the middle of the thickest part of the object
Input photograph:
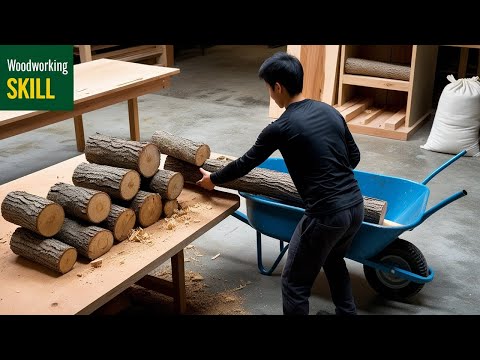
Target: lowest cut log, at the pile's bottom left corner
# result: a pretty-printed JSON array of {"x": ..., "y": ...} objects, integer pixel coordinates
[{"x": 48, "y": 252}]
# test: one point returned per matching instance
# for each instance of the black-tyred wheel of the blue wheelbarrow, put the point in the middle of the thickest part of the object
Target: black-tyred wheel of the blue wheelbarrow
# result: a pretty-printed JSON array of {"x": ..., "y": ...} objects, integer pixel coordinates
[{"x": 404, "y": 255}]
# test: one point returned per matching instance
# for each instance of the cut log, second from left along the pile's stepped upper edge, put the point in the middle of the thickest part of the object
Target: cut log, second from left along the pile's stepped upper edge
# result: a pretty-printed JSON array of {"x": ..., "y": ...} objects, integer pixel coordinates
[{"x": 78, "y": 202}]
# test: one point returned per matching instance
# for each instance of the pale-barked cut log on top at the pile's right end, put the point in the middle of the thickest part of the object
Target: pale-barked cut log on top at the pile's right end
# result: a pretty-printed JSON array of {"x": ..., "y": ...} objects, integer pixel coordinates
[{"x": 195, "y": 153}]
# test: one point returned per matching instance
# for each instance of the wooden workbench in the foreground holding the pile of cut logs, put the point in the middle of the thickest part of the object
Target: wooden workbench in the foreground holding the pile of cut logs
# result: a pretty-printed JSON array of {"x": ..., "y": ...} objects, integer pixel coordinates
[{"x": 29, "y": 288}]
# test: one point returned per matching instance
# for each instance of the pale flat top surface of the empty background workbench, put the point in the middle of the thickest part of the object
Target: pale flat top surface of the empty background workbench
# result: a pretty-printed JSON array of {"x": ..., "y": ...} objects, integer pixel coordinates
[{"x": 102, "y": 77}]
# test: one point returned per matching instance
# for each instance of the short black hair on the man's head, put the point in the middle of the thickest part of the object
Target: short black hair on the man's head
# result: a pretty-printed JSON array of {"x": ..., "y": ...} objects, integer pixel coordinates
[{"x": 285, "y": 69}]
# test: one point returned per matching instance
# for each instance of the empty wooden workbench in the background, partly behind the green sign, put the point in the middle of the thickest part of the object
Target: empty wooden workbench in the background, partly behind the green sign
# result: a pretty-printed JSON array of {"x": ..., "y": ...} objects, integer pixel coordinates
[{"x": 97, "y": 84}]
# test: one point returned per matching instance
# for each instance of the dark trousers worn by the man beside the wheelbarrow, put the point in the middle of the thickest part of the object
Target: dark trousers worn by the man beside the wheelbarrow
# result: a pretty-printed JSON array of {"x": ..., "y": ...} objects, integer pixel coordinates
[{"x": 316, "y": 242}]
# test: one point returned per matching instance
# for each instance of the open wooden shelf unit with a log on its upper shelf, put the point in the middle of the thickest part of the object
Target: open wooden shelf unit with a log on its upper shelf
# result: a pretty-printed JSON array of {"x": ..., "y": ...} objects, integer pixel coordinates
[{"x": 385, "y": 107}]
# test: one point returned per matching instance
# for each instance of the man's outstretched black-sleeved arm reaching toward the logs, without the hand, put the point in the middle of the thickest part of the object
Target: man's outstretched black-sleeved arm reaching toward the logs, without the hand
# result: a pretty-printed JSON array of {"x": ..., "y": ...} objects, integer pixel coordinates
[{"x": 267, "y": 142}]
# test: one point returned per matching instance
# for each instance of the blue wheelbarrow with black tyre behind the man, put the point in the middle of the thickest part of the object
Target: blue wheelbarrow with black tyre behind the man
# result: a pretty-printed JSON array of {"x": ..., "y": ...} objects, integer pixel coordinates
[{"x": 393, "y": 267}]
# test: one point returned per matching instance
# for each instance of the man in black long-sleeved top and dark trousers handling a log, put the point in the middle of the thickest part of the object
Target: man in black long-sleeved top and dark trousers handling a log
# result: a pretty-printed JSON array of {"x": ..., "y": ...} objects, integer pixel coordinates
[{"x": 320, "y": 154}]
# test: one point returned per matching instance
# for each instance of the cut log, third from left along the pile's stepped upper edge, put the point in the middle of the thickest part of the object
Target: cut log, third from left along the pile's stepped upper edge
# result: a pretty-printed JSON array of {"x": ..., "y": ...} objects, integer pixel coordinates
[{"x": 117, "y": 182}]
